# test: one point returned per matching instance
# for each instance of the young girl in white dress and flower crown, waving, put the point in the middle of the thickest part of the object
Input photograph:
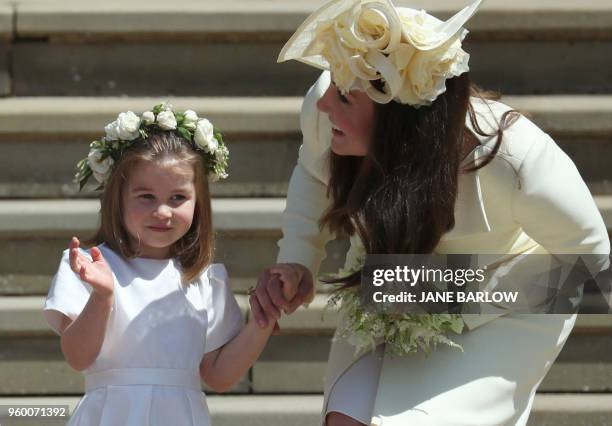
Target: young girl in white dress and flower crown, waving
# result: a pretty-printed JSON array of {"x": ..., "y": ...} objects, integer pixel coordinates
[{"x": 144, "y": 314}]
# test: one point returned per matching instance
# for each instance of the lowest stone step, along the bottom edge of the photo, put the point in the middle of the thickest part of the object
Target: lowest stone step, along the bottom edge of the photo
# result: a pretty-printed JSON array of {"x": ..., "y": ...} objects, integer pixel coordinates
[{"x": 304, "y": 410}]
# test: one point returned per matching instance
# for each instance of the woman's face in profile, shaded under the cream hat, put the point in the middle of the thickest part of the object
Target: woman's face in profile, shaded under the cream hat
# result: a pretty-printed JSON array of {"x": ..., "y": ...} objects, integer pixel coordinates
[{"x": 352, "y": 118}]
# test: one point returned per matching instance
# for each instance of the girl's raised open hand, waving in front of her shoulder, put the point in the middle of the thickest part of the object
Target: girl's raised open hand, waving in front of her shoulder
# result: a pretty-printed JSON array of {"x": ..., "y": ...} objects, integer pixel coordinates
[{"x": 95, "y": 272}]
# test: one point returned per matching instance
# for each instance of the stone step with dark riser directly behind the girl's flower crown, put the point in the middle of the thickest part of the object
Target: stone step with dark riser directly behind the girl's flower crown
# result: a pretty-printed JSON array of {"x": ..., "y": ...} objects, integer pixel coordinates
[{"x": 50, "y": 134}]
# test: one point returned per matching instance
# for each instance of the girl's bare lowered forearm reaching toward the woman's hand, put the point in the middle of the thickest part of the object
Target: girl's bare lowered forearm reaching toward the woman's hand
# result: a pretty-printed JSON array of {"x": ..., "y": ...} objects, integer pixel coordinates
[{"x": 222, "y": 368}]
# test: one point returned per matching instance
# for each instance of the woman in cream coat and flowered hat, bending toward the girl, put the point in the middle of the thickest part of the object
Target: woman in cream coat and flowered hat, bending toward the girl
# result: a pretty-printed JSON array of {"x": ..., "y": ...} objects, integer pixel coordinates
[{"x": 404, "y": 155}]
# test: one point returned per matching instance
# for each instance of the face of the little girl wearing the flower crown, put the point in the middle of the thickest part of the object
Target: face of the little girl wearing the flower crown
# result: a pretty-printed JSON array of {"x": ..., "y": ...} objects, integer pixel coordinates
[{"x": 158, "y": 206}]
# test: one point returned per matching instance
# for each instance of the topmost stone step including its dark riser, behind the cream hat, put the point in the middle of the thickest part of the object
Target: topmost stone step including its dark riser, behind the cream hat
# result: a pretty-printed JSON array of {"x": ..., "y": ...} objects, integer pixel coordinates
[{"x": 206, "y": 46}]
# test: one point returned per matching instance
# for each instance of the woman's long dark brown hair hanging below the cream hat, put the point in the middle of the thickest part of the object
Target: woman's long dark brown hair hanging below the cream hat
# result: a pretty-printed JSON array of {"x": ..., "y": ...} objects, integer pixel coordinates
[{"x": 400, "y": 197}]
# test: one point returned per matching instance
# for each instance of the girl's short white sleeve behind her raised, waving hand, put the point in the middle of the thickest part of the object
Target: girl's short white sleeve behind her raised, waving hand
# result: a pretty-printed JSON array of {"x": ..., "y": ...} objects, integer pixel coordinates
[{"x": 68, "y": 294}]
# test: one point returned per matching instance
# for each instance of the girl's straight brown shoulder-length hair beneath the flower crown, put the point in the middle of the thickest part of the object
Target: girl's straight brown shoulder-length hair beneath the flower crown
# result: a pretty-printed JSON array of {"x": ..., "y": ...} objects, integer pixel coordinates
[{"x": 194, "y": 250}]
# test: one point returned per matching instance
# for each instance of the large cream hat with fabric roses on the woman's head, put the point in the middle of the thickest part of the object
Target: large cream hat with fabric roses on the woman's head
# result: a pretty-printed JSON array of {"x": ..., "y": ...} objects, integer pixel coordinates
[{"x": 359, "y": 41}]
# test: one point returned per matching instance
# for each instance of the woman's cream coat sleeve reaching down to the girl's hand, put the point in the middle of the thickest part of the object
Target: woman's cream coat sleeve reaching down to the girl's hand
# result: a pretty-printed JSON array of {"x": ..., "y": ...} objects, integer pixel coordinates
[{"x": 303, "y": 242}]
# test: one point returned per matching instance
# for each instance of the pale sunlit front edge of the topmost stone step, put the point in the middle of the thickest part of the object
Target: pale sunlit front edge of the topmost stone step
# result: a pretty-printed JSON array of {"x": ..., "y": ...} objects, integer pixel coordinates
[{"x": 38, "y": 18}]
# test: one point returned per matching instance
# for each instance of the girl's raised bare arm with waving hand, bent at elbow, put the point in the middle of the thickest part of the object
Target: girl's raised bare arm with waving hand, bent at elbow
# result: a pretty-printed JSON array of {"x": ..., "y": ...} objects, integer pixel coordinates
[{"x": 82, "y": 339}]
